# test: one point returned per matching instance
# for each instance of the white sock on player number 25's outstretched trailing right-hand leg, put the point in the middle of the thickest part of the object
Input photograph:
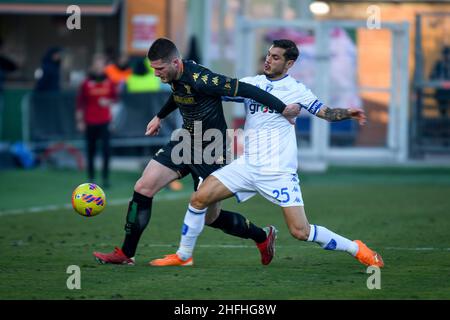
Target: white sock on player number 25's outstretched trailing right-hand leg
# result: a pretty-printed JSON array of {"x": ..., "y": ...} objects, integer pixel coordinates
[{"x": 331, "y": 241}]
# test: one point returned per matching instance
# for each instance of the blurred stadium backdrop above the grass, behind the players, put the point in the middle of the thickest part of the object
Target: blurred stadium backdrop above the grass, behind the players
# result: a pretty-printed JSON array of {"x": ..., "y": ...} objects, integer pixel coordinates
[{"x": 348, "y": 57}]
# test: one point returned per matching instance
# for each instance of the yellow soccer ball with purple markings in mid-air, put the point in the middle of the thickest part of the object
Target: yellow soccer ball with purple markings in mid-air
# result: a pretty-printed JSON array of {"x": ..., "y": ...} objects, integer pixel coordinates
[{"x": 88, "y": 199}]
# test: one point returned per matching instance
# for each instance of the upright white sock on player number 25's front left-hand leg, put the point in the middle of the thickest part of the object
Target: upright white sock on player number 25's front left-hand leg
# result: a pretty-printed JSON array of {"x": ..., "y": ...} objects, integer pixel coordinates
[{"x": 194, "y": 221}]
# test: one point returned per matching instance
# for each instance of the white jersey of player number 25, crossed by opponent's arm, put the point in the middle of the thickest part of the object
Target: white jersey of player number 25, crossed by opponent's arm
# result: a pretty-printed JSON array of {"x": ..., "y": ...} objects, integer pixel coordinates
[{"x": 270, "y": 141}]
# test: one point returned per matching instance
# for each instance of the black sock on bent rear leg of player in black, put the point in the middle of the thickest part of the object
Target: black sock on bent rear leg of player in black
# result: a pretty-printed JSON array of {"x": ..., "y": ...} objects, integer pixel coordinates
[{"x": 237, "y": 225}]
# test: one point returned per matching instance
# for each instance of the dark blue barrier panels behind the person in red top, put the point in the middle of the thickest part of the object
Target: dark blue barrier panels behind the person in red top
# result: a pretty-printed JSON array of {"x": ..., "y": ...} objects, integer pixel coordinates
[{"x": 50, "y": 117}]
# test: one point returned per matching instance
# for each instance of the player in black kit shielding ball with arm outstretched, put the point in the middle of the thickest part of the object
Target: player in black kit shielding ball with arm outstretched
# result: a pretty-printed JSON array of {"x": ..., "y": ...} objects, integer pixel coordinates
[{"x": 197, "y": 92}]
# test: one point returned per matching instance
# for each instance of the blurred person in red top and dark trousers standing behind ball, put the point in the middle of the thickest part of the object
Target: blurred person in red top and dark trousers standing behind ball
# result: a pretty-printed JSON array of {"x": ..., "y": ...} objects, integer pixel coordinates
[{"x": 93, "y": 115}]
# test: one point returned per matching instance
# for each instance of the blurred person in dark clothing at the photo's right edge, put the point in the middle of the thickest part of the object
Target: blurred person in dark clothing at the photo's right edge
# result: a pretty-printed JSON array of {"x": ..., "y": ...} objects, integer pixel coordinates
[{"x": 441, "y": 72}]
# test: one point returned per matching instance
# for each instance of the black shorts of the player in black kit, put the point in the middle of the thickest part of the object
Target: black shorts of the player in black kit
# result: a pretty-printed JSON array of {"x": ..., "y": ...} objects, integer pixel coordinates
[{"x": 163, "y": 156}]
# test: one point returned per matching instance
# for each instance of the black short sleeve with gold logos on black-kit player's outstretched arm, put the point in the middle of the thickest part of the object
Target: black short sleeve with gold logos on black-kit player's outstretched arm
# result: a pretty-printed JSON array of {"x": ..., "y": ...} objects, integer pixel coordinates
[{"x": 214, "y": 84}]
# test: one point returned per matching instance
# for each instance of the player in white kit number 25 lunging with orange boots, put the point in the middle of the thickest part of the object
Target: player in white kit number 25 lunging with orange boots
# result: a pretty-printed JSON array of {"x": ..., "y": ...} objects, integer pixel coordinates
[{"x": 269, "y": 164}]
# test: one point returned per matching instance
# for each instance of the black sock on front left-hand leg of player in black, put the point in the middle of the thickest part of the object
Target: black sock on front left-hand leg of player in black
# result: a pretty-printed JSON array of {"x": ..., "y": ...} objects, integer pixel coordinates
[{"x": 138, "y": 216}]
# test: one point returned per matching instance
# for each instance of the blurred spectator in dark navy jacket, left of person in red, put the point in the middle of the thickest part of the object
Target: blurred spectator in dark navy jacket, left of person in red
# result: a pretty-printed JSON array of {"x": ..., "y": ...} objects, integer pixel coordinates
[{"x": 49, "y": 73}]
